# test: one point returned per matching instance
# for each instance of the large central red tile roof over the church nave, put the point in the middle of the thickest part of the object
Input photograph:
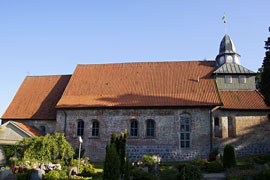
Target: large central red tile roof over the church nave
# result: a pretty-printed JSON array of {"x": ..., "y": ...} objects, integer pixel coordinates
[{"x": 142, "y": 84}]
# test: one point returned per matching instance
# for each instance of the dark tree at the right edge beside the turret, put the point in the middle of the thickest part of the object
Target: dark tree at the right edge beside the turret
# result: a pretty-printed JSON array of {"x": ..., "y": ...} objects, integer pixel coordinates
[{"x": 264, "y": 83}]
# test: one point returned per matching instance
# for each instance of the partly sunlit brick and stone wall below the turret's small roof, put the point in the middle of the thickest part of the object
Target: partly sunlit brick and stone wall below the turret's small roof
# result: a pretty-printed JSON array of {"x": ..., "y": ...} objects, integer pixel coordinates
[{"x": 252, "y": 130}]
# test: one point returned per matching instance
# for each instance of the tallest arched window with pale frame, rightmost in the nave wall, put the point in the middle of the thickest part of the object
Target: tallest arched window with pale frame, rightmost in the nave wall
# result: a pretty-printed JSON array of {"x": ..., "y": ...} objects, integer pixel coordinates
[{"x": 185, "y": 131}]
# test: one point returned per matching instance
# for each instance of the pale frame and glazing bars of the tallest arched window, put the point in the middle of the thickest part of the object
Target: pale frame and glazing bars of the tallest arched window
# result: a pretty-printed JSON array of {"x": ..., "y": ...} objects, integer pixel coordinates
[{"x": 184, "y": 133}]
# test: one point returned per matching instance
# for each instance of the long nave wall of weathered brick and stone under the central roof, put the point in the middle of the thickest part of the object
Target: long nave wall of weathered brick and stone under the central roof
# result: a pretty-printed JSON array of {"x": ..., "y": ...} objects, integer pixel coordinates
[{"x": 165, "y": 142}]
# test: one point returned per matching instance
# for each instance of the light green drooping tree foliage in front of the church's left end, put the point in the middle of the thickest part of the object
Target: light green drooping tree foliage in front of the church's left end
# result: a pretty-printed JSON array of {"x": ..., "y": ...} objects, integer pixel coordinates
[{"x": 45, "y": 148}]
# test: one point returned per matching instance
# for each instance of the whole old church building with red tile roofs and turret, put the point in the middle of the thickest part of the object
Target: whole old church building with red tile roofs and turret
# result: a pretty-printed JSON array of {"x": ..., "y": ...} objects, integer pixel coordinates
[{"x": 178, "y": 110}]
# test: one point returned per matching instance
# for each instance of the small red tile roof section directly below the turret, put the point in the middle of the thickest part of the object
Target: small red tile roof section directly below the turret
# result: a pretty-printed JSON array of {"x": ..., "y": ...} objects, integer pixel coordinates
[{"x": 243, "y": 100}]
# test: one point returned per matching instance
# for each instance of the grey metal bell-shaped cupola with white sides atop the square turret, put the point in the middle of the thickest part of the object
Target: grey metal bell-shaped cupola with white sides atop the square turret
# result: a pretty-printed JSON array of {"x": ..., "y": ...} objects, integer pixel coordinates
[{"x": 227, "y": 52}]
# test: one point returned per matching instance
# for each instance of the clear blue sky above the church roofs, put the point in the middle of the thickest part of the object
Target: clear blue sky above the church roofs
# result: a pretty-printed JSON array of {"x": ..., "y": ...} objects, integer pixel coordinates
[{"x": 47, "y": 37}]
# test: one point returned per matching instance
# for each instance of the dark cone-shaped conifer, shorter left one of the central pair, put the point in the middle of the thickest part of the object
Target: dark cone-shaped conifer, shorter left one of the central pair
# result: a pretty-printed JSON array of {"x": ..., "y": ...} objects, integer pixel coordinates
[{"x": 111, "y": 164}]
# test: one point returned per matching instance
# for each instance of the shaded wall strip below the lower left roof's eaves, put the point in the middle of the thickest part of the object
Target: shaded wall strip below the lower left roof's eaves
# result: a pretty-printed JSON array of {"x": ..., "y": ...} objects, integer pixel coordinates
[{"x": 49, "y": 125}]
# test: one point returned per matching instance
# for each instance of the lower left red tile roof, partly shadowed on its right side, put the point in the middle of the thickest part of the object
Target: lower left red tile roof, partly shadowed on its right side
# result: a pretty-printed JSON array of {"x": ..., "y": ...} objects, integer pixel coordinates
[{"x": 37, "y": 98}]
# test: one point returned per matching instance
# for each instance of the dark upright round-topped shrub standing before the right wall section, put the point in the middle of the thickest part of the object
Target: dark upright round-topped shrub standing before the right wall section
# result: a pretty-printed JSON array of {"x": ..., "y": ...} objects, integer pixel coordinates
[{"x": 229, "y": 158}]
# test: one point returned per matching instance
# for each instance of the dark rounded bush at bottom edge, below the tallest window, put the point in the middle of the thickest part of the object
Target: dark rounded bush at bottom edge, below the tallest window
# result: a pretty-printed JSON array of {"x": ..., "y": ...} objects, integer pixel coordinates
[{"x": 190, "y": 172}]
